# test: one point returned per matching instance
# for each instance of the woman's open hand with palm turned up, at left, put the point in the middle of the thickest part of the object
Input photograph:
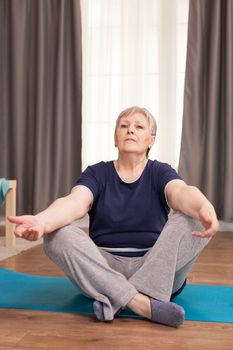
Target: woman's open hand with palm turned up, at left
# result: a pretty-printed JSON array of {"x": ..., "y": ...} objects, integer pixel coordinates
[{"x": 28, "y": 227}]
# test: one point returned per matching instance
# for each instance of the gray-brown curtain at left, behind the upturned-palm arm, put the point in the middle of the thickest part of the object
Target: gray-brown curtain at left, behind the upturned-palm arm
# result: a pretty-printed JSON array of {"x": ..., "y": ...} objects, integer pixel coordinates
[{"x": 40, "y": 98}]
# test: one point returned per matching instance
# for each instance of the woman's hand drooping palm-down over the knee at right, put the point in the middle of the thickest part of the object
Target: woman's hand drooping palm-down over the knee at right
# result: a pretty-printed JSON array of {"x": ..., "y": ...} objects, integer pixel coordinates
[{"x": 209, "y": 221}]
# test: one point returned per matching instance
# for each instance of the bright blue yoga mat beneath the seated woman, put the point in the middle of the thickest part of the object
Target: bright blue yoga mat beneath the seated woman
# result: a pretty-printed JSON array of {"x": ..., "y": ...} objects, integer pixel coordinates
[{"x": 23, "y": 291}]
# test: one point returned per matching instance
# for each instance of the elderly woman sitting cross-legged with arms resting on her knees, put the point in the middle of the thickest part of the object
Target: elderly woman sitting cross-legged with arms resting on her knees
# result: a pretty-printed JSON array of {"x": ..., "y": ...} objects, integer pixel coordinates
[{"x": 135, "y": 256}]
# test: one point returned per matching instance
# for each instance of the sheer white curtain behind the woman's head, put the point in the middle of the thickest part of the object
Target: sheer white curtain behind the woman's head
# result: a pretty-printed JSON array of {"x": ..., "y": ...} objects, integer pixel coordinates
[{"x": 134, "y": 53}]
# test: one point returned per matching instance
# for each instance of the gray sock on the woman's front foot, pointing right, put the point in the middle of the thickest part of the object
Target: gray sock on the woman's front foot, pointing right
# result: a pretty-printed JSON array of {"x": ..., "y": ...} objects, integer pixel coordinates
[{"x": 169, "y": 314}]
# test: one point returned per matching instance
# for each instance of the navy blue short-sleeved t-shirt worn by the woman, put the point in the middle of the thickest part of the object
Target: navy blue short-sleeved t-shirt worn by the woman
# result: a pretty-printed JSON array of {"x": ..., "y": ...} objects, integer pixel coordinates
[{"x": 127, "y": 218}]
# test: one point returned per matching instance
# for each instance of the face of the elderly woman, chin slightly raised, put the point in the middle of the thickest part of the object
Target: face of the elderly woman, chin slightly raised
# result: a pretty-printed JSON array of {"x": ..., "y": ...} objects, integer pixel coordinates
[{"x": 133, "y": 134}]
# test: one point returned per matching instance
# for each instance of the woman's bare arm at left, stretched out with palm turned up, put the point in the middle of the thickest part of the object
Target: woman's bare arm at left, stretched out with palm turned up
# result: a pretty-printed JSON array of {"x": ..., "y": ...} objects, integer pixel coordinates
[{"x": 61, "y": 212}]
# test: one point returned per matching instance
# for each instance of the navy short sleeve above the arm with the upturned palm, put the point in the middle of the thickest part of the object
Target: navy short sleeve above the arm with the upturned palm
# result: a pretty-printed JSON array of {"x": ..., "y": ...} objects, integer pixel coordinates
[{"x": 90, "y": 179}]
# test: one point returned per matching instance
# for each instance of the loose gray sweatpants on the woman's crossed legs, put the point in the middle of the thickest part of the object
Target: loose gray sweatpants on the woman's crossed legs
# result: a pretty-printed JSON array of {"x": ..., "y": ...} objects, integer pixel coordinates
[{"x": 115, "y": 280}]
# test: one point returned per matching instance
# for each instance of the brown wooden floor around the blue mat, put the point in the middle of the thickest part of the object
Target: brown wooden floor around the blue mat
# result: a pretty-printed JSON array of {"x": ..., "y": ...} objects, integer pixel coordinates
[{"x": 22, "y": 329}]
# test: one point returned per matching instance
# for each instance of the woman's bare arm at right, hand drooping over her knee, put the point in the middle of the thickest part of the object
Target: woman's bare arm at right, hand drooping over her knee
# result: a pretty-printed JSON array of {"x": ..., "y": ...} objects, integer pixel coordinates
[{"x": 192, "y": 202}]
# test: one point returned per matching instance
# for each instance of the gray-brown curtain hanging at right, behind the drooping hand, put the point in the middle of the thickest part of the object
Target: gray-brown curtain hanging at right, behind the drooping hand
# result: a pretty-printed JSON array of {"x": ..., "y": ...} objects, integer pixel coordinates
[{"x": 206, "y": 158}]
